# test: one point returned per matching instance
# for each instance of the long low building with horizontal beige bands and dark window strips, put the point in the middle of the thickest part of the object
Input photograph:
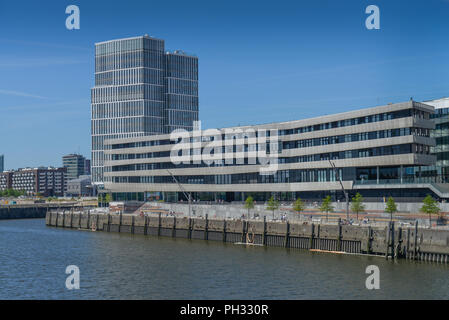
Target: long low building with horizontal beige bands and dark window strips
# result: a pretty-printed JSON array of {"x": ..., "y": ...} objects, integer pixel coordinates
[{"x": 381, "y": 151}]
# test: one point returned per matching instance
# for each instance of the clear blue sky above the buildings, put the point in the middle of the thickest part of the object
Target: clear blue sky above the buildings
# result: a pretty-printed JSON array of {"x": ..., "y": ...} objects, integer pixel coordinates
[{"x": 259, "y": 61}]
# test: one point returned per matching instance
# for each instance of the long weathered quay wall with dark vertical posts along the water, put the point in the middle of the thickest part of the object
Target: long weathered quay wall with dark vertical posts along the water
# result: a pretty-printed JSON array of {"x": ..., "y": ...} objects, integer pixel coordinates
[{"x": 392, "y": 242}]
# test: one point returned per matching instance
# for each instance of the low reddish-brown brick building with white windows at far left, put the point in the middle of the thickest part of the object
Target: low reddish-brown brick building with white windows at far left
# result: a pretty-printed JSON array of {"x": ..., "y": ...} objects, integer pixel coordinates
[{"x": 36, "y": 181}]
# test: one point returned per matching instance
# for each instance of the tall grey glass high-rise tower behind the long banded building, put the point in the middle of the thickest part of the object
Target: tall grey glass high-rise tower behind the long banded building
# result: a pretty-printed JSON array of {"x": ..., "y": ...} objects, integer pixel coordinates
[{"x": 140, "y": 89}]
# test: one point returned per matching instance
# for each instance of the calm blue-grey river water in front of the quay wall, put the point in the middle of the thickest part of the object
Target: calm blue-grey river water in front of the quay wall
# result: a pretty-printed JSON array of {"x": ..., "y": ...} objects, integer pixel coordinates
[{"x": 33, "y": 259}]
